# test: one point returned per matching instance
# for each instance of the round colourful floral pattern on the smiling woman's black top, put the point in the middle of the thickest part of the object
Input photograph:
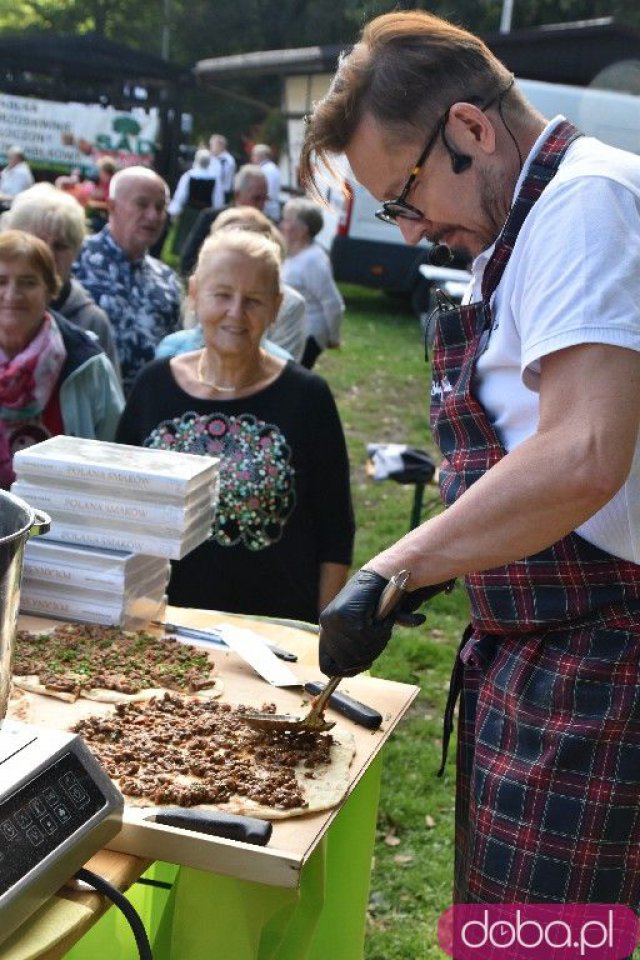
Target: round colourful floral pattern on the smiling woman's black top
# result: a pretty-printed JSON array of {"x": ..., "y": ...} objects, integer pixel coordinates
[{"x": 257, "y": 490}]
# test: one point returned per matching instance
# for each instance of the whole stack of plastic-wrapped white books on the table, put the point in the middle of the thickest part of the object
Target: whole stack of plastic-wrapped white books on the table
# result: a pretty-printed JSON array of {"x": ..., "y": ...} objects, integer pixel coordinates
[{"x": 118, "y": 515}]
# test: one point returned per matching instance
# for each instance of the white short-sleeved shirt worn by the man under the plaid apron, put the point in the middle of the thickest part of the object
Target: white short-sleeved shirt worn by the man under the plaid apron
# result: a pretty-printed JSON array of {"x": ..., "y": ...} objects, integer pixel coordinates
[{"x": 573, "y": 278}]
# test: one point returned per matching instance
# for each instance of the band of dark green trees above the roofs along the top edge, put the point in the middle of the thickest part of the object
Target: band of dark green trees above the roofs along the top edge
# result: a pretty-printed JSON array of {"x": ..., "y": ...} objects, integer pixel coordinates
[{"x": 201, "y": 28}]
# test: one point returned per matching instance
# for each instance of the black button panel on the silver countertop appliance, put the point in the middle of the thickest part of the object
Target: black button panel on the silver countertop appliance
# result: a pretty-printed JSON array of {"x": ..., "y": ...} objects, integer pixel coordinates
[{"x": 44, "y": 813}]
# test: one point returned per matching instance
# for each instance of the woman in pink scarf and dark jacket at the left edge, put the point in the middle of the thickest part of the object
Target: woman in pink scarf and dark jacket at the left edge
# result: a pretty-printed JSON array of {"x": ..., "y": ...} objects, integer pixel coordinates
[{"x": 54, "y": 377}]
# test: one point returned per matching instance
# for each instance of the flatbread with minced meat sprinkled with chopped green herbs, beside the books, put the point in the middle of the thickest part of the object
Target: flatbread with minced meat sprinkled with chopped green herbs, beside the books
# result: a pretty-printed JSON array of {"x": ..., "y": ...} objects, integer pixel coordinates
[{"x": 109, "y": 665}]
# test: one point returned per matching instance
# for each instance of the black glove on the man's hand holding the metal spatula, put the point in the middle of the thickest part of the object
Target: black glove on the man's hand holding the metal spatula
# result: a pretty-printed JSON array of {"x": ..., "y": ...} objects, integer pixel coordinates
[{"x": 351, "y": 637}]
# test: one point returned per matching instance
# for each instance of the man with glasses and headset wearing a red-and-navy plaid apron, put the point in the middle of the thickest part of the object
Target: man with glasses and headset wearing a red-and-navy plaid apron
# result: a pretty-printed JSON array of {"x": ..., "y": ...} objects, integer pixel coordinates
[{"x": 535, "y": 407}]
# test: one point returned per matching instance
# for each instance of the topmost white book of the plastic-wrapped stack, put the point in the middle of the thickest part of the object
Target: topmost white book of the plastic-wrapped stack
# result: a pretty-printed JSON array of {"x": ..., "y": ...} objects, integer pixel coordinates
[{"x": 115, "y": 465}]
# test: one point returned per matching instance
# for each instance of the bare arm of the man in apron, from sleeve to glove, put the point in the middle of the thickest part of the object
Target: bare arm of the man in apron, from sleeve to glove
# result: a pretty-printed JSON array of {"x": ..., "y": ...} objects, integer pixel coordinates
[{"x": 547, "y": 486}]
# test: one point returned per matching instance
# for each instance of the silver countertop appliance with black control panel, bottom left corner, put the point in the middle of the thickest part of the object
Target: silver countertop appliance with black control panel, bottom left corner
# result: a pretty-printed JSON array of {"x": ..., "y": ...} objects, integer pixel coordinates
[{"x": 57, "y": 809}]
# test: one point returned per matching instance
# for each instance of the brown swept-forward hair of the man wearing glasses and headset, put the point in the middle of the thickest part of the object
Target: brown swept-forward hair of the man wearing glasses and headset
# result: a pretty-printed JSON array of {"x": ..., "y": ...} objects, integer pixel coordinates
[{"x": 405, "y": 71}]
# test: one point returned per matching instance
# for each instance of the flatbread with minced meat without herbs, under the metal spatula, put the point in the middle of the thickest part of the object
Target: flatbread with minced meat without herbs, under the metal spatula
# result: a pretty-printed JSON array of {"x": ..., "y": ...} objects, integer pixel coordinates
[{"x": 176, "y": 751}]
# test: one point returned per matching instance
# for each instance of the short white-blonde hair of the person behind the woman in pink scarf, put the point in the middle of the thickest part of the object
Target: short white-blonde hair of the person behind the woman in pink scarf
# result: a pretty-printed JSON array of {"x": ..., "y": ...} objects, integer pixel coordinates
[{"x": 45, "y": 209}]
